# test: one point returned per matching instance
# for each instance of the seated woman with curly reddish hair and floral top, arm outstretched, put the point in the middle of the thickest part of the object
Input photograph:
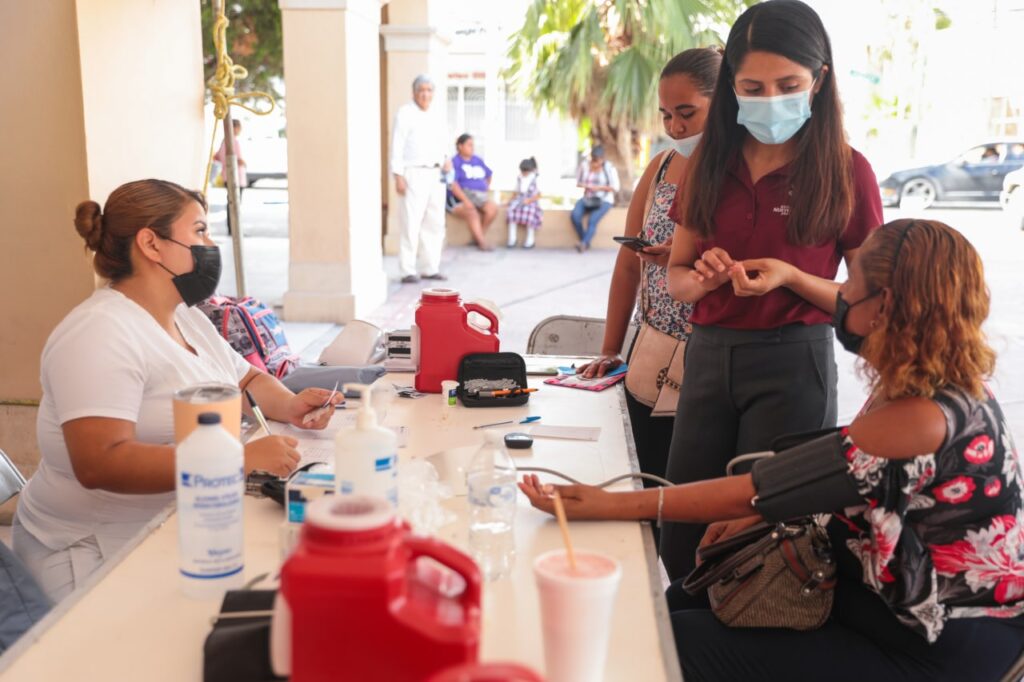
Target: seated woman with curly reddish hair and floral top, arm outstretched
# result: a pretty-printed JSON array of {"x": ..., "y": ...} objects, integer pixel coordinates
[{"x": 924, "y": 487}]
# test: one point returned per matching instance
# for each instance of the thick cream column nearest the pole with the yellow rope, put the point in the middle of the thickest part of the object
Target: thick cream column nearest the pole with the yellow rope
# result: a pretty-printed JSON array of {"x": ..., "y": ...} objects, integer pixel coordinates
[{"x": 332, "y": 74}]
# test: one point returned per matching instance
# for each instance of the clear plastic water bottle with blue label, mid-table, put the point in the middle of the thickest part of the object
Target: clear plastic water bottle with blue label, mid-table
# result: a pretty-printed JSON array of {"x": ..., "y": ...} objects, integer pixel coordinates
[{"x": 491, "y": 483}]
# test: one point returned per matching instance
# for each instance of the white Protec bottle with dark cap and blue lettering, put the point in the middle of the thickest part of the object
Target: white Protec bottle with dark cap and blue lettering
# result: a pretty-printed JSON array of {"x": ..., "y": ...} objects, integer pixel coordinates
[{"x": 211, "y": 484}]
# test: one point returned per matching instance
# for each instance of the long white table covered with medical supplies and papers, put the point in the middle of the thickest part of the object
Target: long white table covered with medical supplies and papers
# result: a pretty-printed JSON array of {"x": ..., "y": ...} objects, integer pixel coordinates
[{"x": 132, "y": 622}]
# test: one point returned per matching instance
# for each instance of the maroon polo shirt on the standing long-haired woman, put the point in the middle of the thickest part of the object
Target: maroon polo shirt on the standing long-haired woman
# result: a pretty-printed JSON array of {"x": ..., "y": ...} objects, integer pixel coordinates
[{"x": 750, "y": 223}]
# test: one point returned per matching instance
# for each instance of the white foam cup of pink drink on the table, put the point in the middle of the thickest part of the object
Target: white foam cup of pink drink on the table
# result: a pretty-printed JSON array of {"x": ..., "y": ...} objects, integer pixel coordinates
[{"x": 576, "y": 613}]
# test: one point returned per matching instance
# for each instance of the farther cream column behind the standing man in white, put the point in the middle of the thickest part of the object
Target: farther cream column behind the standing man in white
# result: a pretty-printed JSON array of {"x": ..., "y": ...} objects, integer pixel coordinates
[{"x": 413, "y": 46}]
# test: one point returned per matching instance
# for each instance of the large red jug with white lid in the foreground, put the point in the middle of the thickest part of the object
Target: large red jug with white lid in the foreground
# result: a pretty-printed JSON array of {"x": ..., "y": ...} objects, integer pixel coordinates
[{"x": 362, "y": 604}]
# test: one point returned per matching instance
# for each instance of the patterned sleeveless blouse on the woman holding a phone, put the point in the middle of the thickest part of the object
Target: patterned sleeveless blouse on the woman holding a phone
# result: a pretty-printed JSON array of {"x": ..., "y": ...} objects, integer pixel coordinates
[{"x": 663, "y": 313}]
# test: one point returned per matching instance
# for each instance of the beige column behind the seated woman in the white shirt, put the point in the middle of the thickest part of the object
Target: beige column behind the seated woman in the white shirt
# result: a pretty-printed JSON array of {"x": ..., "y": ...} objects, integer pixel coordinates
[{"x": 111, "y": 92}]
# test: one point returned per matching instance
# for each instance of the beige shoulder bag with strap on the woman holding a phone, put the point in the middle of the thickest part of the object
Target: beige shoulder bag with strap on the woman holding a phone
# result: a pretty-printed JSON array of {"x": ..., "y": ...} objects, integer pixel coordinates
[{"x": 656, "y": 365}]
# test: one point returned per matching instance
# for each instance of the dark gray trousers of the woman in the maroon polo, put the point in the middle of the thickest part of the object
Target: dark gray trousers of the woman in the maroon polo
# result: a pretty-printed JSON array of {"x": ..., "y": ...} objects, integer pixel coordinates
[{"x": 743, "y": 390}]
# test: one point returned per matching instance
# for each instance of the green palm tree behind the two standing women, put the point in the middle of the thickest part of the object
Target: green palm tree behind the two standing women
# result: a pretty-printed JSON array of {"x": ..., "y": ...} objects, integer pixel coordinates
[{"x": 599, "y": 61}]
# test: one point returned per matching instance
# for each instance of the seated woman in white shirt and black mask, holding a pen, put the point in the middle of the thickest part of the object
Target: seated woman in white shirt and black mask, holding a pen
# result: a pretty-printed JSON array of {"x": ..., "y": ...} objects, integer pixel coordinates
[{"x": 110, "y": 369}]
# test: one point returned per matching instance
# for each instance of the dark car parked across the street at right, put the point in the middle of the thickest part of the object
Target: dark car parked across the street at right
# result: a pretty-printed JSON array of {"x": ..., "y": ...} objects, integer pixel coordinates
[{"x": 975, "y": 176}]
